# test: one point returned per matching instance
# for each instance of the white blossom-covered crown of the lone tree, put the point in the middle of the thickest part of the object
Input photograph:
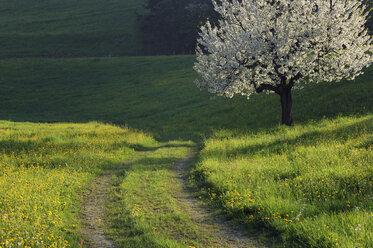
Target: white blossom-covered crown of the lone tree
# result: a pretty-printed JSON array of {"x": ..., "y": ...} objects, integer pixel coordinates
[{"x": 268, "y": 45}]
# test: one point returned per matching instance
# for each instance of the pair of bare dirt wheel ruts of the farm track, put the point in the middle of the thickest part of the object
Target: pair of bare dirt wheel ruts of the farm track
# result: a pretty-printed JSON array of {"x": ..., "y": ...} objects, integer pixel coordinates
[{"x": 94, "y": 208}]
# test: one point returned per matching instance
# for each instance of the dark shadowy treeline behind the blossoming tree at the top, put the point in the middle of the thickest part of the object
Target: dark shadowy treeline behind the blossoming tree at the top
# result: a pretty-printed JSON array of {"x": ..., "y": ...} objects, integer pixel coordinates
[{"x": 172, "y": 26}]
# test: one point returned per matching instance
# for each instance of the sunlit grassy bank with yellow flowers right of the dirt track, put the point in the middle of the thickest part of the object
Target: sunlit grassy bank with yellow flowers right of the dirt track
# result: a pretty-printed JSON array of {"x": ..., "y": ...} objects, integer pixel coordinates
[{"x": 311, "y": 184}]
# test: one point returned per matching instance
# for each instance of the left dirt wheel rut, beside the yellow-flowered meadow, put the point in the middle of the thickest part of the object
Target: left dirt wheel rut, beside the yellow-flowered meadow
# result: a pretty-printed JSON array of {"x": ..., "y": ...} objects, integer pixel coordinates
[{"x": 94, "y": 213}]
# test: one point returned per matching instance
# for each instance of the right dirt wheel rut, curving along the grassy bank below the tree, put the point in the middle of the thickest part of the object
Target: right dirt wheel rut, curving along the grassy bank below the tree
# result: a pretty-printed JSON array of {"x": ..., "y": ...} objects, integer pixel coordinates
[{"x": 225, "y": 232}]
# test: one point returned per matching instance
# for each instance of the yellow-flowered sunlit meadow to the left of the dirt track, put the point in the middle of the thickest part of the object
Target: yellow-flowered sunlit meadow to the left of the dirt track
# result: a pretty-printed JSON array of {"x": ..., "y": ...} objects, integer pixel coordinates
[{"x": 43, "y": 168}]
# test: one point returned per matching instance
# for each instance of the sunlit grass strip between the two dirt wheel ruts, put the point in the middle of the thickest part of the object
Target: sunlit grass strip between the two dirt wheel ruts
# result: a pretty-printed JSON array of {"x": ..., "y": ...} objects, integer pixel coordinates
[{"x": 146, "y": 212}]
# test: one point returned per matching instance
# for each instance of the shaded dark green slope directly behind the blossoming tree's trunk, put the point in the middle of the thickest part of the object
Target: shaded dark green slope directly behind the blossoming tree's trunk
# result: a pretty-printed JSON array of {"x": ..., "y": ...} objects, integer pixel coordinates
[{"x": 157, "y": 94}]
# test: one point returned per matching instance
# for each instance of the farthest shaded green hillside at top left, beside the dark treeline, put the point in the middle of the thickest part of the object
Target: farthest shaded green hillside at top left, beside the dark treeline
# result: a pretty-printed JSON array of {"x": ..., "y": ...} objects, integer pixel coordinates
[{"x": 55, "y": 28}]
